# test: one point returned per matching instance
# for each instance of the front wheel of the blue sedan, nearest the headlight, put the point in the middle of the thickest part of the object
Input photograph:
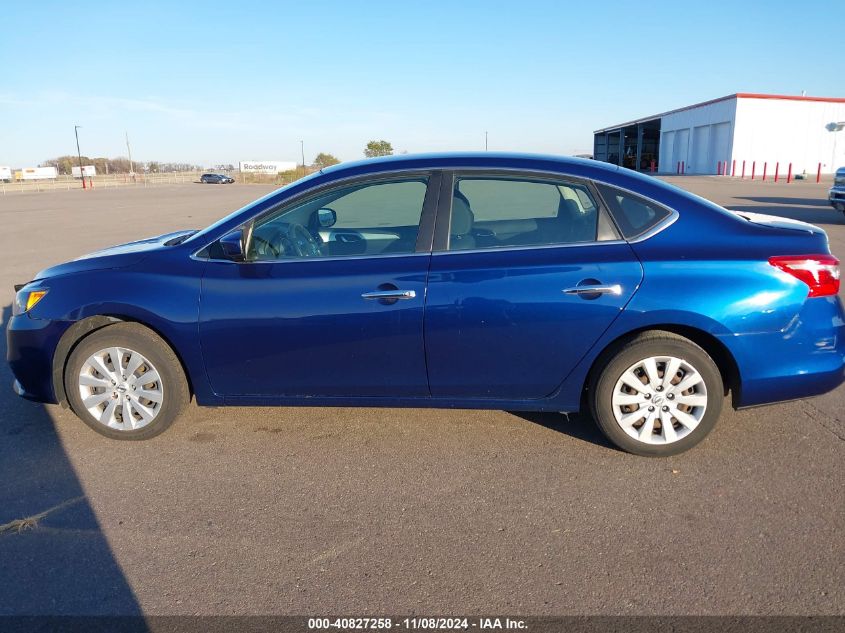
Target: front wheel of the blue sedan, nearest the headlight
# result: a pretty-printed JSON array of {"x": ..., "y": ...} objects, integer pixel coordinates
[{"x": 117, "y": 404}]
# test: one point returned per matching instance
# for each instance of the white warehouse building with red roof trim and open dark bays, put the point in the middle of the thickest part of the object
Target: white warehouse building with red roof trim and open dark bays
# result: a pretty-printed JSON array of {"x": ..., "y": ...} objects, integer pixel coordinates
[{"x": 717, "y": 137}]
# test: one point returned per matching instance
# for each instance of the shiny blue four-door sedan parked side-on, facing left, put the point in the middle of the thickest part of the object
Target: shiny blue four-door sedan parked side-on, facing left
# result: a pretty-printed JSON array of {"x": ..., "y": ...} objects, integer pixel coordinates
[{"x": 464, "y": 281}]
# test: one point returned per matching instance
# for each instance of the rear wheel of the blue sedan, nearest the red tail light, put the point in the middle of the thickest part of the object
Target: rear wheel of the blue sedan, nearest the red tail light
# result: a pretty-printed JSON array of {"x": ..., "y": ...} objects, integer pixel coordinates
[{"x": 678, "y": 420}]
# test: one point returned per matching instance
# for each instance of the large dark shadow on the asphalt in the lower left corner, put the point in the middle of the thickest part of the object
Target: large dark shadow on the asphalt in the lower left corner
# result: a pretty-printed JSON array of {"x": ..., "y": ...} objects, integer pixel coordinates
[{"x": 56, "y": 559}]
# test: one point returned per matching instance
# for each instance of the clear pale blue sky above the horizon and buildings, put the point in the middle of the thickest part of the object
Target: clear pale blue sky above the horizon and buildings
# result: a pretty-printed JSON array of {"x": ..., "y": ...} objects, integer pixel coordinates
[{"x": 210, "y": 82}]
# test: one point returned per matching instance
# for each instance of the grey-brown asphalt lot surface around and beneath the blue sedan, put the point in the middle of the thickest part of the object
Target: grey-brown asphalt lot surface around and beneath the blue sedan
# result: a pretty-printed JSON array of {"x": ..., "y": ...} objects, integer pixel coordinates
[{"x": 386, "y": 511}]
